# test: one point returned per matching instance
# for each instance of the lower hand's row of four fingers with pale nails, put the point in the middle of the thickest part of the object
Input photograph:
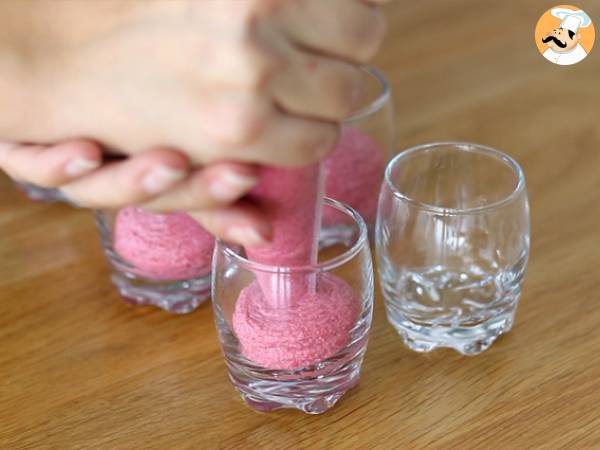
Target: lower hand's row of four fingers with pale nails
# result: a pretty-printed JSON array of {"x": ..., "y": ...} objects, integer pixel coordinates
[{"x": 159, "y": 180}]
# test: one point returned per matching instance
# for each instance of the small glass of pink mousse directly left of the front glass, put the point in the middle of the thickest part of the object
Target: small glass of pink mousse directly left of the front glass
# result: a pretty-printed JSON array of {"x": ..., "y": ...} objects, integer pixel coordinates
[{"x": 162, "y": 260}]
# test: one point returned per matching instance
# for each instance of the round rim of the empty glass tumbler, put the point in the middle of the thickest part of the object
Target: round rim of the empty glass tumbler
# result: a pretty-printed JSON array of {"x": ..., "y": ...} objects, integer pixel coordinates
[{"x": 461, "y": 146}]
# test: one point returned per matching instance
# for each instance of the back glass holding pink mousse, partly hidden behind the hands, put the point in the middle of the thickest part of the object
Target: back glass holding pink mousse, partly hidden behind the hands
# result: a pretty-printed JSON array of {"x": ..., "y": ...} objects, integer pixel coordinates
[{"x": 354, "y": 170}]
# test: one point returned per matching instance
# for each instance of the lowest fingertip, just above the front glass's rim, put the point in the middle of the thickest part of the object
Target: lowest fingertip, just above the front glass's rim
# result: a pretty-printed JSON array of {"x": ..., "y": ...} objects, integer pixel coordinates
[{"x": 241, "y": 223}]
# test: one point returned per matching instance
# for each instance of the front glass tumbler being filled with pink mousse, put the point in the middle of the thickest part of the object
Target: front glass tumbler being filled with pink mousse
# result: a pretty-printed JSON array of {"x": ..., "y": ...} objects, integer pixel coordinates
[{"x": 295, "y": 337}]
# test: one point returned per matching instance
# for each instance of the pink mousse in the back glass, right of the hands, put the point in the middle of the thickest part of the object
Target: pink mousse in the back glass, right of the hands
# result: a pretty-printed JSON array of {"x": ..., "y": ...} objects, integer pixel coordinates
[{"x": 353, "y": 174}]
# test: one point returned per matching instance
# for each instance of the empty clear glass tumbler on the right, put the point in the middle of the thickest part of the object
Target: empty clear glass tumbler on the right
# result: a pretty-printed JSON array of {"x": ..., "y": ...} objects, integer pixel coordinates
[{"x": 452, "y": 241}]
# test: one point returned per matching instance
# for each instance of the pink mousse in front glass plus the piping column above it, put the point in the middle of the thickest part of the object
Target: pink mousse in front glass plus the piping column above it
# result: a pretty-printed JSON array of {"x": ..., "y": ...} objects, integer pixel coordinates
[{"x": 285, "y": 321}]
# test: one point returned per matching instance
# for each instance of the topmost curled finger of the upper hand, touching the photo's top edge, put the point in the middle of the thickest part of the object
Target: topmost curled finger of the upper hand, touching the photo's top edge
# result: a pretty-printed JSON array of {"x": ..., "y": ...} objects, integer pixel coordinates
[{"x": 351, "y": 30}]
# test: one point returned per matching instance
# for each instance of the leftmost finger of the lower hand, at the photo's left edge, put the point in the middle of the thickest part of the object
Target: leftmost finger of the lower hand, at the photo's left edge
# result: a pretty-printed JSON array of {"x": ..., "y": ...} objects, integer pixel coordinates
[{"x": 50, "y": 166}]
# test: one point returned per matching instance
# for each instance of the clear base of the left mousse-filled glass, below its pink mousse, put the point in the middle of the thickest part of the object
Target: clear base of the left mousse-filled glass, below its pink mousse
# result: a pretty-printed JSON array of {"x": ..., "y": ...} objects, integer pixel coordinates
[{"x": 177, "y": 297}]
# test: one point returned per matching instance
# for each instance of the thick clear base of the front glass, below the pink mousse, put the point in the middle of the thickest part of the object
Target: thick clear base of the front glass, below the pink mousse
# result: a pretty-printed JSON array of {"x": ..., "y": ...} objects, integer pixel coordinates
[{"x": 313, "y": 395}]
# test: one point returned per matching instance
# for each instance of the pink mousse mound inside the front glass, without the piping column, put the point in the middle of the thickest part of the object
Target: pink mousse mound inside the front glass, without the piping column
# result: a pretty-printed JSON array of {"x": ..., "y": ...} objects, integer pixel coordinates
[{"x": 311, "y": 329}]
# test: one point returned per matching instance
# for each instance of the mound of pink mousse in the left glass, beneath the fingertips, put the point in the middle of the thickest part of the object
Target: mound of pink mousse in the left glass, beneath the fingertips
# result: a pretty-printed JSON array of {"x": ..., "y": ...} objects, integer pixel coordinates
[{"x": 163, "y": 246}]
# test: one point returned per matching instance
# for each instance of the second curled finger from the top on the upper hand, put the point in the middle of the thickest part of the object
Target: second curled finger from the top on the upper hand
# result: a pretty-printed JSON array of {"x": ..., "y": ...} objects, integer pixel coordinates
[{"x": 319, "y": 87}]
